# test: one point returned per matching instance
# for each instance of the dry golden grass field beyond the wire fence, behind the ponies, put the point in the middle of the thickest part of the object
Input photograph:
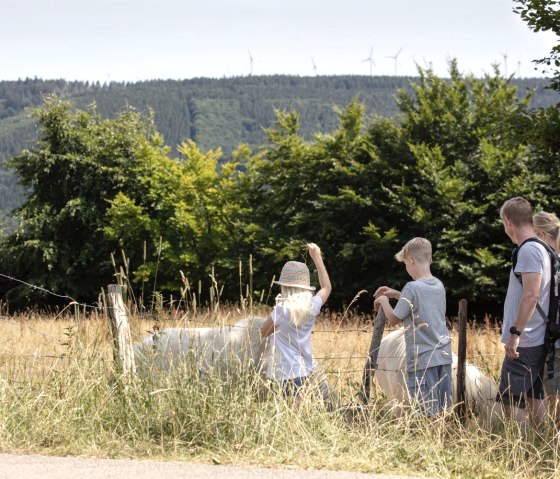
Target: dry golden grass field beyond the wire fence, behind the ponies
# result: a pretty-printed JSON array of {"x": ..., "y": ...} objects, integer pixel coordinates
[{"x": 340, "y": 343}]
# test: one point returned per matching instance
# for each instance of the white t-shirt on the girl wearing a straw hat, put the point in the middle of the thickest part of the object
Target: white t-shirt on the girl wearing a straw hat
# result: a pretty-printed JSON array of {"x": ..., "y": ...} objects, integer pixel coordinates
[{"x": 291, "y": 346}]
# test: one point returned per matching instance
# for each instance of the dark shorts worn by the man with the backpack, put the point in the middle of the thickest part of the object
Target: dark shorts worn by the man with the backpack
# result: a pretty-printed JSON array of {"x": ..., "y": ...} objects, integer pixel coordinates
[{"x": 523, "y": 377}]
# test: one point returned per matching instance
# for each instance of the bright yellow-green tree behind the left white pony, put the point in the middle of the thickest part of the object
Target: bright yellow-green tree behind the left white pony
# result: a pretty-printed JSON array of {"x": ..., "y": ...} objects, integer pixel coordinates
[{"x": 192, "y": 205}]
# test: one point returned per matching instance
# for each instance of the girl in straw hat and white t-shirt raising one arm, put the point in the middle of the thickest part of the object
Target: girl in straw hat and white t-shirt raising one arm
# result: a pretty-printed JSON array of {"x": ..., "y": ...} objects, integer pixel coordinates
[{"x": 292, "y": 319}]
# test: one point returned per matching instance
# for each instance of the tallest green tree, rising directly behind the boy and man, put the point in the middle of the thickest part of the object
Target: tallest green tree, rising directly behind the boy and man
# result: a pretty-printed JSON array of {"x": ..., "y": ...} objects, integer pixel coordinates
[{"x": 466, "y": 159}]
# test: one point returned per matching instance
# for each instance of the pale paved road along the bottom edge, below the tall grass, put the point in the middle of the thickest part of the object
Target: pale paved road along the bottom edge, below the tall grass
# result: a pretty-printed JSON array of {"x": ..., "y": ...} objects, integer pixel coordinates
[{"x": 47, "y": 467}]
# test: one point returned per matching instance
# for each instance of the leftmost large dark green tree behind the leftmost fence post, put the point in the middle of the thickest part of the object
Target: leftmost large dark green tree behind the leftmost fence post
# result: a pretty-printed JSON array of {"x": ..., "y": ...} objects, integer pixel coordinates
[{"x": 78, "y": 162}]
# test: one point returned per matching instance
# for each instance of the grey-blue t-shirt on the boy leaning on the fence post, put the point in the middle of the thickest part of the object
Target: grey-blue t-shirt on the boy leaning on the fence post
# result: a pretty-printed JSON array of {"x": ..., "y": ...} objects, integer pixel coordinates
[{"x": 422, "y": 309}]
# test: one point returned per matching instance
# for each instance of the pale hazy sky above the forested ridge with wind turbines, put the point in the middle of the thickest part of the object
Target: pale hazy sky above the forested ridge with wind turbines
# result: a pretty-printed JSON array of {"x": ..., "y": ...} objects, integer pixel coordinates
[{"x": 133, "y": 40}]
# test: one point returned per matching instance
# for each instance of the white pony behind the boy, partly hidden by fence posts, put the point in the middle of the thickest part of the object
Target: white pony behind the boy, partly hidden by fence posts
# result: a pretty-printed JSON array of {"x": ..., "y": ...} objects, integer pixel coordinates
[{"x": 480, "y": 390}]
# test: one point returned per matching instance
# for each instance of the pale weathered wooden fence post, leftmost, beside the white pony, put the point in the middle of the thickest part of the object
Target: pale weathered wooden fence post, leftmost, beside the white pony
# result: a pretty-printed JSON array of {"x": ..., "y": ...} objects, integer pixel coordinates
[{"x": 123, "y": 353}]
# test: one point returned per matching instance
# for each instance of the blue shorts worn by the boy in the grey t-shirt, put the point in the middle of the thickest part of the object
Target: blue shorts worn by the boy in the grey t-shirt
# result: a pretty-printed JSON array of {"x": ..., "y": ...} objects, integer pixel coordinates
[{"x": 431, "y": 388}]
